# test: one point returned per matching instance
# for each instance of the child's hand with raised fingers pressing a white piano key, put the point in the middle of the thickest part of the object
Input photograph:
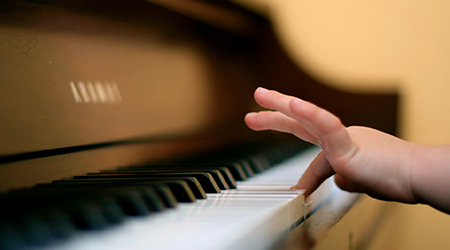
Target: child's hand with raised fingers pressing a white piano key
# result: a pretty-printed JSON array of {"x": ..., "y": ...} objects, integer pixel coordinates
[{"x": 360, "y": 158}]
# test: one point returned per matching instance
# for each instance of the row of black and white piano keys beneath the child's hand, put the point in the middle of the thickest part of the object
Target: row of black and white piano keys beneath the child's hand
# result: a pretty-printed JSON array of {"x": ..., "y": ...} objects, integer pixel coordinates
[{"x": 251, "y": 214}]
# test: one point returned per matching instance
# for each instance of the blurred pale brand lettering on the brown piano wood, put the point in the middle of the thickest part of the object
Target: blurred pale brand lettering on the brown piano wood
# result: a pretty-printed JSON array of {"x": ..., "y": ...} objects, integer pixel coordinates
[{"x": 97, "y": 92}]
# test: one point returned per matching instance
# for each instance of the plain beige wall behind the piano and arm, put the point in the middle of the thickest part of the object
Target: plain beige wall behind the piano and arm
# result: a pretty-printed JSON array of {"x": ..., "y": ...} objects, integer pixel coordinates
[{"x": 380, "y": 46}]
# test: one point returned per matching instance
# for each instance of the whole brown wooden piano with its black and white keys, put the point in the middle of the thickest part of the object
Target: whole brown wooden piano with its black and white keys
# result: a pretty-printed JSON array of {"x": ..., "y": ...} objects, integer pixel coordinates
[{"x": 122, "y": 127}]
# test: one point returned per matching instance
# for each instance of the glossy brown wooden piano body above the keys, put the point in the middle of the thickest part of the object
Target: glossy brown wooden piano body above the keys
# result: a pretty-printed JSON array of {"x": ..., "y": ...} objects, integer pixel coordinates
[{"x": 92, "y": 85}]
